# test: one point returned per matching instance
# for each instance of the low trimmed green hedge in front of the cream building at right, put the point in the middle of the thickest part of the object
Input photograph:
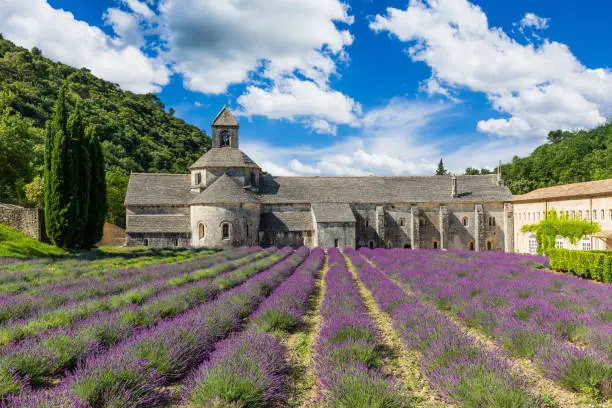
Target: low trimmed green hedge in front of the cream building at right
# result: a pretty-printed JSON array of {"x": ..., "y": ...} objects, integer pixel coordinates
[{"x": 596, "y": 265}]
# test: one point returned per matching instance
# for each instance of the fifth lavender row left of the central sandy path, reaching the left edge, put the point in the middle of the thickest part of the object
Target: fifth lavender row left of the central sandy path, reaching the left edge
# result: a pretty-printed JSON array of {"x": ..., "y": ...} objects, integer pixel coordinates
[{"x": 48, "y": 297}]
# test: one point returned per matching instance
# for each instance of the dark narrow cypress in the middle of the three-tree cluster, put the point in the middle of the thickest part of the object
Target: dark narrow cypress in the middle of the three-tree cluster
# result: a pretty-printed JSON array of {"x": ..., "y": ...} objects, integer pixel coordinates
[{"x": 81, "y": 172}]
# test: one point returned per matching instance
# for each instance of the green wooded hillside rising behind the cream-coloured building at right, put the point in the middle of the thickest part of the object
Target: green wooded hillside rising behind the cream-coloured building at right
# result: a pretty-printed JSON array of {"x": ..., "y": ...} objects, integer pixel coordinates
[{"x": 568, "y": 157}]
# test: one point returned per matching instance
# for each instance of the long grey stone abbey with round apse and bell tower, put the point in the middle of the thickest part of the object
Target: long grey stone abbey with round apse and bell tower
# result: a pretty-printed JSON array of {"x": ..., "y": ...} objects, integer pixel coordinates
[{"x": 226, "y": 202}]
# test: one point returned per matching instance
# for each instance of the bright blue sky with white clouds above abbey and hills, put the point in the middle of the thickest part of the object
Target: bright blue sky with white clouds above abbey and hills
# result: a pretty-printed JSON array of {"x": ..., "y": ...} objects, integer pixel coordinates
[{"x": 348, "y": 87}]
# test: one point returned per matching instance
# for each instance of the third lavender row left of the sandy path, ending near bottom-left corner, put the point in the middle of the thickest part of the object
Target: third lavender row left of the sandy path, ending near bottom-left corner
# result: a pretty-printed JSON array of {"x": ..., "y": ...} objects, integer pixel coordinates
[{"x": 35, "y": 361}]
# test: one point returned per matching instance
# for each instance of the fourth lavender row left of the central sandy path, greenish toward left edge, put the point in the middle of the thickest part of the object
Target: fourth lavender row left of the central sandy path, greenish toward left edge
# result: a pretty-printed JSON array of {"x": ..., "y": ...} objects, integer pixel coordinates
[{"x": 44, "y": 320}]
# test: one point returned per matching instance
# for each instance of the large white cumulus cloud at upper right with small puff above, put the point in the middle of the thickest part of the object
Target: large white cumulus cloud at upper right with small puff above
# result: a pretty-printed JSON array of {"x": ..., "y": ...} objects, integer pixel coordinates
[{"x": 537, "y": 88}]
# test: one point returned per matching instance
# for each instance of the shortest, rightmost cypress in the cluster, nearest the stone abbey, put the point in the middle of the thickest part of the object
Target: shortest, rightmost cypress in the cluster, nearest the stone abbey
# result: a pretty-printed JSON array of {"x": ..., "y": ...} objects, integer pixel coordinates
[{"x": 97, "y": 191}]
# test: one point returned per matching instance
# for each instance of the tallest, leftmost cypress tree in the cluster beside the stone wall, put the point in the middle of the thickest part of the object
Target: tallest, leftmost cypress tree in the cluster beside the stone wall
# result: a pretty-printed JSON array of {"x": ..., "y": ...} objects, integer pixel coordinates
[{"x": 56, "y": 148}]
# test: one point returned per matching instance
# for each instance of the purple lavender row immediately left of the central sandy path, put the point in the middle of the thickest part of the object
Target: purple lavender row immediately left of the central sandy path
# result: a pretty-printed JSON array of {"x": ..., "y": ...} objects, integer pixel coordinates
[{"x": 251, "y": 368}]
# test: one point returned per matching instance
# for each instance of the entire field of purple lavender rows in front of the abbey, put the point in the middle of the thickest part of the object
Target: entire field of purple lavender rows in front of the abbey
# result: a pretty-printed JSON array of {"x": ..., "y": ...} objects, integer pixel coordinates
[{"x": 256, "y": 327}]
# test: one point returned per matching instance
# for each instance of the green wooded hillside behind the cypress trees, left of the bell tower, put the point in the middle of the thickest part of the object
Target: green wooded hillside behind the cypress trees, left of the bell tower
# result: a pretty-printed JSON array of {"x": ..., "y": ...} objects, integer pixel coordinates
[{"x": 137, "y": 133}]
